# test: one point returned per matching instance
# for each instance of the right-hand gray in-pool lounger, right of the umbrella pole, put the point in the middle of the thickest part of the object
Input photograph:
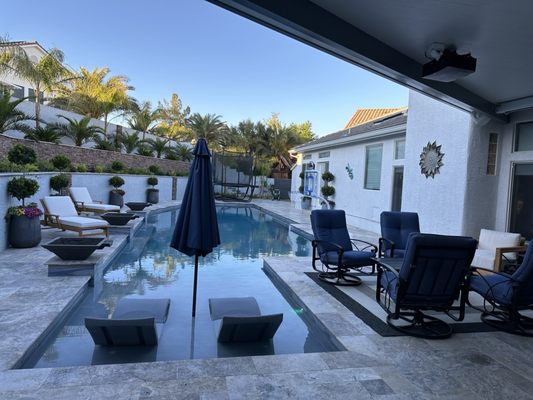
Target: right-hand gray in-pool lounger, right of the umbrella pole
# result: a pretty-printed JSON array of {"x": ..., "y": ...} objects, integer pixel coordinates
[{"x": 239, "y": 319}]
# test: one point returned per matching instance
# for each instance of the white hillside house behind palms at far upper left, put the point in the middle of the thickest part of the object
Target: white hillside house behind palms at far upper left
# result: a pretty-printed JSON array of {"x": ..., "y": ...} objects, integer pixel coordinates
[{"x": 19, "y": 87}]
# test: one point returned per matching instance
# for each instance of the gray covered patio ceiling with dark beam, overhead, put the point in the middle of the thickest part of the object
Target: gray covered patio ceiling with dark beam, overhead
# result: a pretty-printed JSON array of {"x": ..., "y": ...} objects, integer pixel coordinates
[{"x": 390, "y": 38}]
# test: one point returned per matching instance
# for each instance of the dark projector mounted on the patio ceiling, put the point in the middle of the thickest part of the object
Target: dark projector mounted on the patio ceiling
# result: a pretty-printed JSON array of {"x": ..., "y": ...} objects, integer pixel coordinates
[{"x": 449, "y": 67}]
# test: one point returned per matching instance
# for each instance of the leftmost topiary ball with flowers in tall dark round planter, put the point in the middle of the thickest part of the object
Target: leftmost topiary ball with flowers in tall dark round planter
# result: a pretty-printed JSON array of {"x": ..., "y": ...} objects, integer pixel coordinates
[{"x": 24, "y": 225}]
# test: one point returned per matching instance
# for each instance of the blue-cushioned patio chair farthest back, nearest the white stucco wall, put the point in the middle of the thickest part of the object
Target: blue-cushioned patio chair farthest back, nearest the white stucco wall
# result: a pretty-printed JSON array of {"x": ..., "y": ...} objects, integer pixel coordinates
[{"x": 395, "y": 229}]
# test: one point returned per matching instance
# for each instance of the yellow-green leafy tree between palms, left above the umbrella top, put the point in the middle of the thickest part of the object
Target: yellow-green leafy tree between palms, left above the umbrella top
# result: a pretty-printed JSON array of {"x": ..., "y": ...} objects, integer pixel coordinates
[{"x": 173, "y": 119}]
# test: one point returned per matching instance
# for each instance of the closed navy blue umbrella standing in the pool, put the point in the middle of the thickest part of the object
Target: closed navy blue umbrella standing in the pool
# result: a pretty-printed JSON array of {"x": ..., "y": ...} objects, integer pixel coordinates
[{"x": 196, "y": 231}]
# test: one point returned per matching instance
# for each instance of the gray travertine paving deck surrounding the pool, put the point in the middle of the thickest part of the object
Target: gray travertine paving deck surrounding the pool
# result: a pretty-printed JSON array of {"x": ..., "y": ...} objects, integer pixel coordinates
[{"x": 467, "y": 366}]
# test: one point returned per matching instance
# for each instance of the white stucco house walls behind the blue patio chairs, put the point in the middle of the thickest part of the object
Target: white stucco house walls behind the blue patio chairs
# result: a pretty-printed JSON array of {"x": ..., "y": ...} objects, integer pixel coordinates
[{"x": 486, "y": 180}]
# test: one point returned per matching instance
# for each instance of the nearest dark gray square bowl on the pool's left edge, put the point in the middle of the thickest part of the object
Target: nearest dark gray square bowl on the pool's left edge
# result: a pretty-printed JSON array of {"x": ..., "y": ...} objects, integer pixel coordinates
[{"x": 76, "y": 248}]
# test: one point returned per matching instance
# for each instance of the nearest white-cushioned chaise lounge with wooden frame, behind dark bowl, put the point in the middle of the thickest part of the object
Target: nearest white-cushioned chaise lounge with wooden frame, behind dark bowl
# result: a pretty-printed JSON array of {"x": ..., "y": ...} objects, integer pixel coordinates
[{"x": 60, "y": 212}]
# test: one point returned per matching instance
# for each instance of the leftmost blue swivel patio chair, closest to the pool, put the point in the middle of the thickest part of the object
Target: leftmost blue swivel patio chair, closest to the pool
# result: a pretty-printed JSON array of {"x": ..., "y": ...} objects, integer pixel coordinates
[{"x": 339, "y": 255}]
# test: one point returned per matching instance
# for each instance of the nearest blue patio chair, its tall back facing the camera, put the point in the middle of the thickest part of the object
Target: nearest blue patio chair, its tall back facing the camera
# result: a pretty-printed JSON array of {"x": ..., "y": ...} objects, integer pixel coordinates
[{"x": 432, "y": 276}]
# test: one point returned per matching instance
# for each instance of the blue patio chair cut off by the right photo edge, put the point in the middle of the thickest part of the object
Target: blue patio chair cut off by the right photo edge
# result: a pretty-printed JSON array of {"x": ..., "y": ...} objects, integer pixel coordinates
[{"x": 505, "y": 296}]
